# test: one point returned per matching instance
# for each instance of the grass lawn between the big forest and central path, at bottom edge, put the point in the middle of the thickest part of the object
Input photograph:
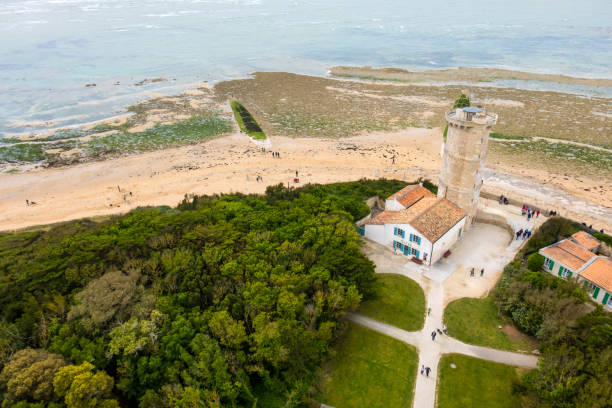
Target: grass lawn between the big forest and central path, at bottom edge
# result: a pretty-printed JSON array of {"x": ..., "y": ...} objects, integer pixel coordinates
[{"x": 369, "y": 370}]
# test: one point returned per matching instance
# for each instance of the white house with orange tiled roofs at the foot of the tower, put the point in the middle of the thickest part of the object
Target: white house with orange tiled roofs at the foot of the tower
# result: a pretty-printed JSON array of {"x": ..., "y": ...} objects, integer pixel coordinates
[{"x": 417, "y": 224}]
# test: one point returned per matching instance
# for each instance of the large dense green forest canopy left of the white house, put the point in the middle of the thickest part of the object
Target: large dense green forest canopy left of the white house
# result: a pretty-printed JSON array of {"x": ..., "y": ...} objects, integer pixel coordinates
[{"x": 209, "y": 303}]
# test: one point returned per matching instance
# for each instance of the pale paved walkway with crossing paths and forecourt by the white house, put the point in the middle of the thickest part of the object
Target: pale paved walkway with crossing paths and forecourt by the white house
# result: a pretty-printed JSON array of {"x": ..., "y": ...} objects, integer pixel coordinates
[{"x": 443, "y": 282}]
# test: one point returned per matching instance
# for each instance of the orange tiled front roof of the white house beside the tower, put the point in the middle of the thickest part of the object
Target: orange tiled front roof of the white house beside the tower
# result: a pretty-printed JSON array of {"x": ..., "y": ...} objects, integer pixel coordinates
[{"x": 431, "y": 216}]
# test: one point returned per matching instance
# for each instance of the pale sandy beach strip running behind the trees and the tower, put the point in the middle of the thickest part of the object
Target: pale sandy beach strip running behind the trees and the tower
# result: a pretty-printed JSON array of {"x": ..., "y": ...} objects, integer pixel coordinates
[{"x": 232, "y": 164}]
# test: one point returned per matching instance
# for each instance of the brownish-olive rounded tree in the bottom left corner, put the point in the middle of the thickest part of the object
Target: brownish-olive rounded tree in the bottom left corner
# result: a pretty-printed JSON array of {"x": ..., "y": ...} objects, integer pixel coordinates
[{"x": 29, "y": 374}]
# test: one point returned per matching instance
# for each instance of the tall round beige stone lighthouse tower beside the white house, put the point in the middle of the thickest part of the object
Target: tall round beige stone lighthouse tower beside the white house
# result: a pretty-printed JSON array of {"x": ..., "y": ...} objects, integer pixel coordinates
[{"x": 464, "y": 155}]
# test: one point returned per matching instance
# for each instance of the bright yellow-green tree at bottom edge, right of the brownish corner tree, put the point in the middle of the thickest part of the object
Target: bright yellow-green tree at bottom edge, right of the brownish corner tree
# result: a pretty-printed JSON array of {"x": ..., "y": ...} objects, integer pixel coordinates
[{"x": 81, "y": 388}]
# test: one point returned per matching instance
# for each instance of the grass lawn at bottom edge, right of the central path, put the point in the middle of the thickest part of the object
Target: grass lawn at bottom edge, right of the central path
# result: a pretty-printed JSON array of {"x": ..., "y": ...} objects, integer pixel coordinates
[{"x": 475, "y": 383}]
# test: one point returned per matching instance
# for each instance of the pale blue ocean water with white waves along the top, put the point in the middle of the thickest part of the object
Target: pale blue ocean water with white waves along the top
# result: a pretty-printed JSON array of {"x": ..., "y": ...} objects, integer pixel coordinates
[{"x": 50, "y": 49}]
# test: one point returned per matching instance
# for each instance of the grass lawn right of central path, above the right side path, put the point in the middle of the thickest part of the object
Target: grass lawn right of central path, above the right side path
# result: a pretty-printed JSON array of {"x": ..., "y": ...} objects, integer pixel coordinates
[{"x": 476, "y": 321}]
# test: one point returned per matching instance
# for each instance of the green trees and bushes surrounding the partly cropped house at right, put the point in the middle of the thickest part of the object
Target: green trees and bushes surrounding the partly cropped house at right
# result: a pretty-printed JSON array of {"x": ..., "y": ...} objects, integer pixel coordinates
[{"x": 575, "y": 368}]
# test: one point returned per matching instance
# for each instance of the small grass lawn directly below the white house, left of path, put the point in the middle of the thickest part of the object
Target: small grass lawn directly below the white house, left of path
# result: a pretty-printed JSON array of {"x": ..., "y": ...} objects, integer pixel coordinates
[{"x": 397, "y": 300}]
